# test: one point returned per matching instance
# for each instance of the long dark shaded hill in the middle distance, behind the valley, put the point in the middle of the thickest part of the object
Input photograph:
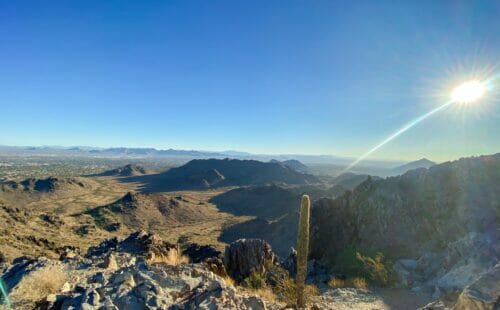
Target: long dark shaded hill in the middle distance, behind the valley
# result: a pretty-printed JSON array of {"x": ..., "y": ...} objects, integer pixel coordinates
[{"x": 214, "y": 173}]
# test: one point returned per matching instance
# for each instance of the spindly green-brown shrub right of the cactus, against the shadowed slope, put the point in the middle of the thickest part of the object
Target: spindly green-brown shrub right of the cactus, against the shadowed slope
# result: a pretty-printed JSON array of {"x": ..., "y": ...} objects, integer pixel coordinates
[{"x": 364, "y": 263}]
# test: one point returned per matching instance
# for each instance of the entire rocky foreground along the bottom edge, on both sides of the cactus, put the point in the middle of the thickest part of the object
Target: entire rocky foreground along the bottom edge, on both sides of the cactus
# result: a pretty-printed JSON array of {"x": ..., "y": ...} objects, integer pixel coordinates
[{"x": 145, "y": 272}]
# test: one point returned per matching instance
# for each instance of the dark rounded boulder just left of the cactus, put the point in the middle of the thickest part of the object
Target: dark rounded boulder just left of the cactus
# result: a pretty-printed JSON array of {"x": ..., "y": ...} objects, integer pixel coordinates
[{"x": 245, "y": 256}]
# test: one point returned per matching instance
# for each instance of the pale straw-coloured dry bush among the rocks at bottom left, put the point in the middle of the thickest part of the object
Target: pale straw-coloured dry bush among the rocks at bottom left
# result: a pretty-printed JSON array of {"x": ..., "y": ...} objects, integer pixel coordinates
[{"x": 40, "y": 283}]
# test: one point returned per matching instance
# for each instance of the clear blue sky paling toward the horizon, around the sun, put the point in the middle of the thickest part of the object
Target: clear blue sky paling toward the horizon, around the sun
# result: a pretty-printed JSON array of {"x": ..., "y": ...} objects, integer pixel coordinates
[{"x": 304, "y": 77}]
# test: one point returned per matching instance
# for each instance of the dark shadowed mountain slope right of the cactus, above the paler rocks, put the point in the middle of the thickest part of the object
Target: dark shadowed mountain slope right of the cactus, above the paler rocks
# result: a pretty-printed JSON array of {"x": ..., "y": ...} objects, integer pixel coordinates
[{"x": 431, "y": 207}]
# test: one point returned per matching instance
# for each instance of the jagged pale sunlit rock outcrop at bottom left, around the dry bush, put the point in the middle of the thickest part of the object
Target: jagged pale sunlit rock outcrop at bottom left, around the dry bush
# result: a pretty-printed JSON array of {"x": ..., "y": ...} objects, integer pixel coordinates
[{"x": 118, "y": 275}]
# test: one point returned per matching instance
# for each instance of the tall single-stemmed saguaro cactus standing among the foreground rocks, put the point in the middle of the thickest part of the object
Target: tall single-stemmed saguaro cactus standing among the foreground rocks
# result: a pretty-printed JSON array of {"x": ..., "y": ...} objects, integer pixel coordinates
[{"x": 302, "y": 249}]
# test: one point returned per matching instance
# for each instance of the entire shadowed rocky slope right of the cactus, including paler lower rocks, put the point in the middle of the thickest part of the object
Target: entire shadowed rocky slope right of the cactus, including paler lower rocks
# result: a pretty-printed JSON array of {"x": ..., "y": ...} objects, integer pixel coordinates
[{"x": 441, "y": 224}]
